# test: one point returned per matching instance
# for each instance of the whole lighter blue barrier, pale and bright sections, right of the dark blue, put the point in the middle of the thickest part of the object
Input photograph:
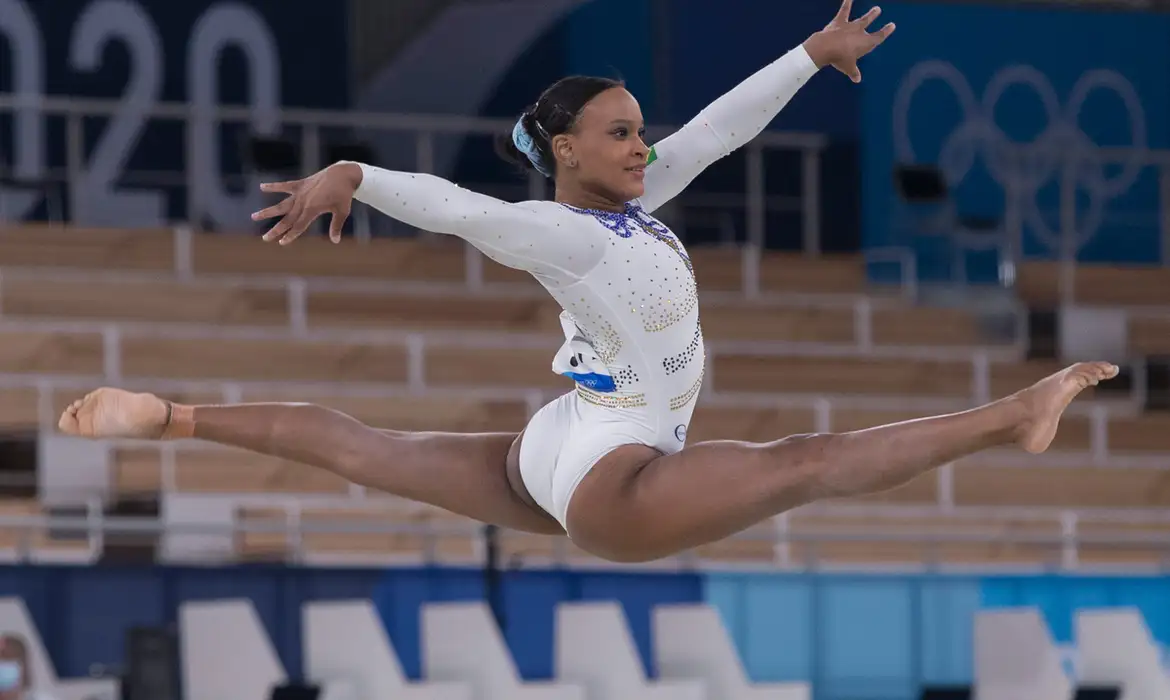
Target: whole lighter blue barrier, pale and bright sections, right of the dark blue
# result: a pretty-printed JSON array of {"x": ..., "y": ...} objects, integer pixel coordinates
[{"x": 883, "y": 637}]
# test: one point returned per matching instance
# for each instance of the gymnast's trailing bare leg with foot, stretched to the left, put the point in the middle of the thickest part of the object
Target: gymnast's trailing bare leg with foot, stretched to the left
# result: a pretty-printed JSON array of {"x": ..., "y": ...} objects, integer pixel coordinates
[{"x": 467, "y": 475}]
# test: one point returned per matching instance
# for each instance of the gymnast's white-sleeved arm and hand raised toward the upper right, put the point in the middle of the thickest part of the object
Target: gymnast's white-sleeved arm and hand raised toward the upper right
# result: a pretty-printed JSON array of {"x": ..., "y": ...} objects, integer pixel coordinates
[{"x": 742, "y": 114}]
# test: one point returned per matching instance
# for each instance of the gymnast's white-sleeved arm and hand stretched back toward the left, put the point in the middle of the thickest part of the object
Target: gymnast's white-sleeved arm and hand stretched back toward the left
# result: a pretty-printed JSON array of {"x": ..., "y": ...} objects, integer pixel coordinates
[{"x": 538, "y": 237}]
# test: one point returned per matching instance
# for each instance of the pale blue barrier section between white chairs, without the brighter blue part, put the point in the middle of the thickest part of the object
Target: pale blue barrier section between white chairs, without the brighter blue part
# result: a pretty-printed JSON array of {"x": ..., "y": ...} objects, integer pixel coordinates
[{"x": 852, "y": 636}]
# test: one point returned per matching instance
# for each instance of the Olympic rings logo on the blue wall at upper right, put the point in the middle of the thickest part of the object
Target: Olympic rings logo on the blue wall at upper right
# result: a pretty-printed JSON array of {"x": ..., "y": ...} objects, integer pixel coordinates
[{"x": 1063, "y": 149}]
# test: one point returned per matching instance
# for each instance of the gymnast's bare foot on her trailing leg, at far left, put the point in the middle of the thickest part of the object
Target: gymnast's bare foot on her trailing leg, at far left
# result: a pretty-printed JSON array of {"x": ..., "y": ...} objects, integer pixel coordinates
[{"x": 115, "y": 414}]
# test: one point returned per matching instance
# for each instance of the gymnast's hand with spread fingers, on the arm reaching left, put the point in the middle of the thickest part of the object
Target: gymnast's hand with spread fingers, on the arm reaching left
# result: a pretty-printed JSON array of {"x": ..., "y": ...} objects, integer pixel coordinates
[{"x": 329, "y": 191}]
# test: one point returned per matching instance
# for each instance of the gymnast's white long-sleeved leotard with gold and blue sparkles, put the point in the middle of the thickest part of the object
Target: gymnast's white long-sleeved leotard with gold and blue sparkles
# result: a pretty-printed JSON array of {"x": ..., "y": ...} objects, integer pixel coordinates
[{"x": 634, "y": 342}]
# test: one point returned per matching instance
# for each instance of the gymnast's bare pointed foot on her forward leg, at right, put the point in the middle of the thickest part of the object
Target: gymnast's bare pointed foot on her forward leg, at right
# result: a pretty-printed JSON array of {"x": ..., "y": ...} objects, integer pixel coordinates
[{"x": 1047, "y": 401}]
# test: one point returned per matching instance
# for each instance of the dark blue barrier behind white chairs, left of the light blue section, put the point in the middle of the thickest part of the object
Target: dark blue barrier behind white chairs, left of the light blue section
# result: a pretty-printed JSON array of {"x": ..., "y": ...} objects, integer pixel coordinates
[{"x": 84, "y": 612}]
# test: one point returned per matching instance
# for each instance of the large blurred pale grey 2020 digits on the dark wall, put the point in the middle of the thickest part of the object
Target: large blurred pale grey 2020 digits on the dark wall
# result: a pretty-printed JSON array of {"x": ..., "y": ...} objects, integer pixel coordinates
[{"x": 97, "y": 195}]
